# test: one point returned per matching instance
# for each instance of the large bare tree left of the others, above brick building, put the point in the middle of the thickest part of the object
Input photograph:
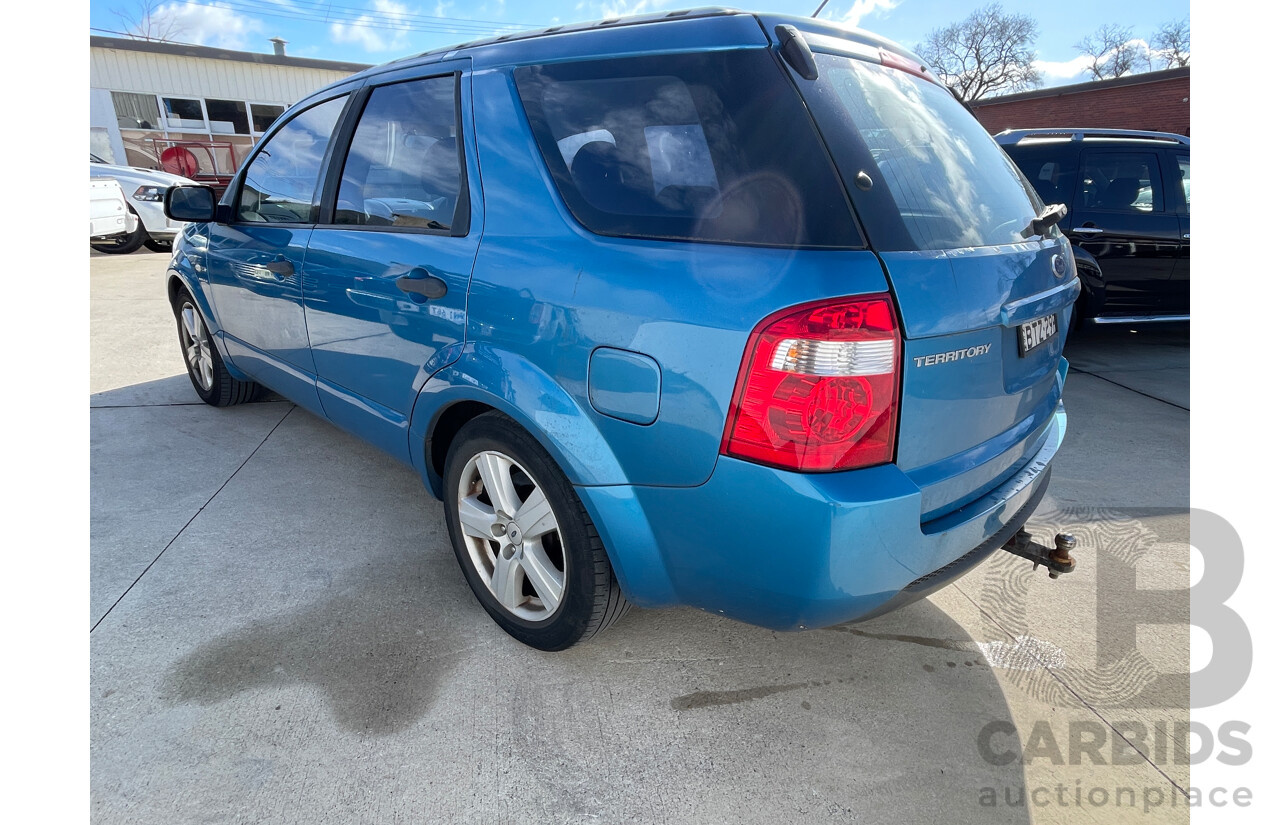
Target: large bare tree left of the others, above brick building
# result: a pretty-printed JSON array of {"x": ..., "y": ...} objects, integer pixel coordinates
[{"x": 989, "y": 52}]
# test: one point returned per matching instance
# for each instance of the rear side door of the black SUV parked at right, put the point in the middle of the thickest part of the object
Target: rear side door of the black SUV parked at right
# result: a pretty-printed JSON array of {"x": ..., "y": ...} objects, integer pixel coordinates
[{"x": 1123, "y": 218}]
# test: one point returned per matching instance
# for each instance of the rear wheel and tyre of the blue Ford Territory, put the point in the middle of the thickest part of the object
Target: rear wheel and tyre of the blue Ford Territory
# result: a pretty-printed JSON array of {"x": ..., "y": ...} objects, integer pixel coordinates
[{"x": 516, "y": 566}]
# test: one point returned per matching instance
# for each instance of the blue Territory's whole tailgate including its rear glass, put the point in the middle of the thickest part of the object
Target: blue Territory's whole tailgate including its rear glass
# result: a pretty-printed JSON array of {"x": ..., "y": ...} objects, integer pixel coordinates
[{"x": 982, "y": 299}]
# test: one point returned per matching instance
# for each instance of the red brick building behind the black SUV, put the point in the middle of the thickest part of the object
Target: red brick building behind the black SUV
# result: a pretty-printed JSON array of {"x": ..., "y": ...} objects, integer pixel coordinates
[{"x": 1158, "y": 102}]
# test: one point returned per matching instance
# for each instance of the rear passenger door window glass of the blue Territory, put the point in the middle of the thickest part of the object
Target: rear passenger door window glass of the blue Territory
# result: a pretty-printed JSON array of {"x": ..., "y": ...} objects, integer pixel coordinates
[{"x": 404, "y": 168}]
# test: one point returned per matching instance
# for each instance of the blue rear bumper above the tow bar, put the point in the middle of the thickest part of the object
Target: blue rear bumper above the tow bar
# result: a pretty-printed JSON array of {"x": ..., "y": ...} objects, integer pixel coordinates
[{"x": 790, "y": 551}]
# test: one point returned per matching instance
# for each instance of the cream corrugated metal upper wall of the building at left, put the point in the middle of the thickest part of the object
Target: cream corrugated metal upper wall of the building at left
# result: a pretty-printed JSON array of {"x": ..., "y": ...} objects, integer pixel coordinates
[{"x": 200, "y": 77}]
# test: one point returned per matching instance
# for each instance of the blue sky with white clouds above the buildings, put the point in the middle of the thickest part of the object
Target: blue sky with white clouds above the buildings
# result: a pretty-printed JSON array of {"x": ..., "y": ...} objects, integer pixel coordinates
[{"x": 376, "y": 31}]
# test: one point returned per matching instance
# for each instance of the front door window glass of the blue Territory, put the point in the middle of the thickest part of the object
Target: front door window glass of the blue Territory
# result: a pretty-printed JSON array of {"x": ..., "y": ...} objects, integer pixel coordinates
[{"x": 281, "y": 185}]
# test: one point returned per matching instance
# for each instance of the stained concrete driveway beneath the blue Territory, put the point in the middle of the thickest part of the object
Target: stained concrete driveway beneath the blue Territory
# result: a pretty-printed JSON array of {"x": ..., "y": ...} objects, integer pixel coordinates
[{"x": 281, "y": 634}]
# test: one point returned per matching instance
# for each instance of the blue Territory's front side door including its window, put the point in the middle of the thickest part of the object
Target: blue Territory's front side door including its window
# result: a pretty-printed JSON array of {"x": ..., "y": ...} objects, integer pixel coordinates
[{"x": 255, "y": 260}]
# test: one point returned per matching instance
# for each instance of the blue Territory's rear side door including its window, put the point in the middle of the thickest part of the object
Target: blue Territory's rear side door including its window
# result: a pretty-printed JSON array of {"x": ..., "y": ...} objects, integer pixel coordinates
[{"x": 388, "y": 268}]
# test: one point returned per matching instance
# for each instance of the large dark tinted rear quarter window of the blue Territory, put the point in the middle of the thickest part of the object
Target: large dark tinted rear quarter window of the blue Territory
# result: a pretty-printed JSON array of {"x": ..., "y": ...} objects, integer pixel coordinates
[{"x": 712, "y": 148}]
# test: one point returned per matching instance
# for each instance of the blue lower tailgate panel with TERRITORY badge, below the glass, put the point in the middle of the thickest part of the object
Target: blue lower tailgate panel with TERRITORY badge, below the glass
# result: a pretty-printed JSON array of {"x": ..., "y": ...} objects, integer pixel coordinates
[{"x": 975, "y": 405}]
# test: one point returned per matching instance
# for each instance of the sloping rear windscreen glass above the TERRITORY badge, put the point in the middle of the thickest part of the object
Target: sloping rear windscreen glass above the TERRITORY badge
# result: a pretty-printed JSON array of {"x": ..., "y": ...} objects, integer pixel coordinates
[{"x": 950, "y": 185}]
